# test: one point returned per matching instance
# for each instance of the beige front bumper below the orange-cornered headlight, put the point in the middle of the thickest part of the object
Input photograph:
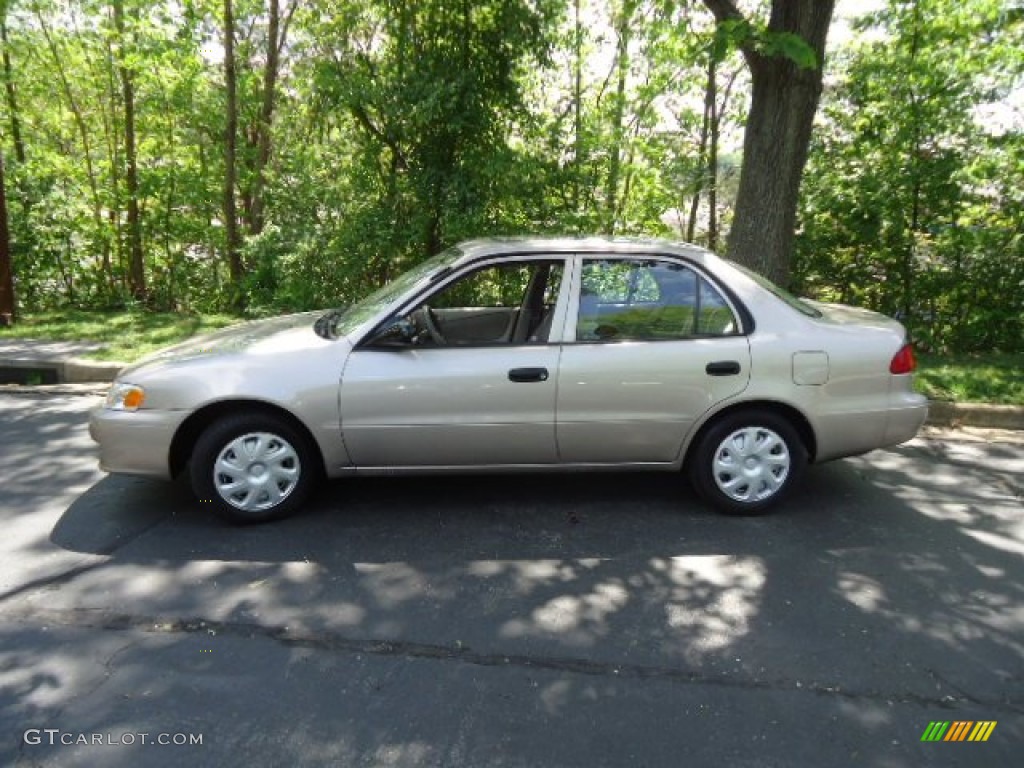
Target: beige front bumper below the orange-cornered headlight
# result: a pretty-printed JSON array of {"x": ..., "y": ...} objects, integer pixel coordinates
[{"x": 136, "y": 443}]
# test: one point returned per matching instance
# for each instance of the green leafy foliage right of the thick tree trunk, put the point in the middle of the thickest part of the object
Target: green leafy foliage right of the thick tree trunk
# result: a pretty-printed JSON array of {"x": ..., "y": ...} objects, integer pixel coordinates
[{"x": 909, "y": 207}]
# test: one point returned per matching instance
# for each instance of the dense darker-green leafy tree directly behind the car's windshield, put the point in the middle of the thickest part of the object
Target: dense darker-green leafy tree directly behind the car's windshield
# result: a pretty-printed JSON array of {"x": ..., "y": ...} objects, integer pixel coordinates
[{"x": 429, "y": 90}]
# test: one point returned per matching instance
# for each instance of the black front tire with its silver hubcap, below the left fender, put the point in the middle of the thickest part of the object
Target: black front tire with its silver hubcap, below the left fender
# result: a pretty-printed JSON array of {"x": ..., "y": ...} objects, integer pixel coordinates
[{"x": 277, "y": 468}]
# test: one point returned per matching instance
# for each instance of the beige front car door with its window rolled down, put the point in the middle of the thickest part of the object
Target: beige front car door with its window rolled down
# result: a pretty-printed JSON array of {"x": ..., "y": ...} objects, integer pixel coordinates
[{"x": 474, "y": 386}]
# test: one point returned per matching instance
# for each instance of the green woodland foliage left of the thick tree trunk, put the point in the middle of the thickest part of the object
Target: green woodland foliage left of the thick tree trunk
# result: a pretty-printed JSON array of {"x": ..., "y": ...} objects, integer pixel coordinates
[{"x": 399, "y": 129}]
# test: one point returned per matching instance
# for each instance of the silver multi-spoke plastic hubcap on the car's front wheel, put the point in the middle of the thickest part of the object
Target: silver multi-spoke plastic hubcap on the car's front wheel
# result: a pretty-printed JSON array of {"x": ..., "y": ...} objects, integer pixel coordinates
[{"x": 257, "y": 472}]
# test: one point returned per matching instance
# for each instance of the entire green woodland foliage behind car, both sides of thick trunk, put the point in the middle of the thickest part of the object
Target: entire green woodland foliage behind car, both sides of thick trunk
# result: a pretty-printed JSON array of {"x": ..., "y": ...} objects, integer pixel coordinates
[{"x": 400, "y": 129}]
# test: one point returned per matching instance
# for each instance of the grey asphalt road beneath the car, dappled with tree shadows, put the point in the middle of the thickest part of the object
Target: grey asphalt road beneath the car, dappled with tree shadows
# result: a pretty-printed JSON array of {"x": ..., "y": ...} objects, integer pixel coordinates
[{"x": 577, "y": 621}]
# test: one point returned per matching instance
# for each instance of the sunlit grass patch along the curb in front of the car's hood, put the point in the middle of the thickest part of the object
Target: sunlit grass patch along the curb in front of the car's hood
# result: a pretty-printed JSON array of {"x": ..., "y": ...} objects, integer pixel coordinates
[{"x": 125, "y": 336}]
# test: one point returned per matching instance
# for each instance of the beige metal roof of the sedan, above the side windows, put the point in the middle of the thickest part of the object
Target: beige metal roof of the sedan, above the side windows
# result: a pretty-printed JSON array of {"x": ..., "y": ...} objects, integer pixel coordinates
[{"x": 486, "y": 247}]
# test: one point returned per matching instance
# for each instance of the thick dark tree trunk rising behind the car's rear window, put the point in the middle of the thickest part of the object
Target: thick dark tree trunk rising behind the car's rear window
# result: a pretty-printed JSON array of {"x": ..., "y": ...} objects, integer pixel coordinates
[{"x": 785, "y": 100}]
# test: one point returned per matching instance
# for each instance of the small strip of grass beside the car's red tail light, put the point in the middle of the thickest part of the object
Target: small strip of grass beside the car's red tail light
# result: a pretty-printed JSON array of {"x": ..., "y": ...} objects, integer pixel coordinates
[{"x": 973, "y": 378}]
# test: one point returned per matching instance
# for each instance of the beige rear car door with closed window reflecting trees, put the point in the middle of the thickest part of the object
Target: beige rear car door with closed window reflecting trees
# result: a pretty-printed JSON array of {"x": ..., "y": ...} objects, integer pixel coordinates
[{"x": 651, "y": 346}]
